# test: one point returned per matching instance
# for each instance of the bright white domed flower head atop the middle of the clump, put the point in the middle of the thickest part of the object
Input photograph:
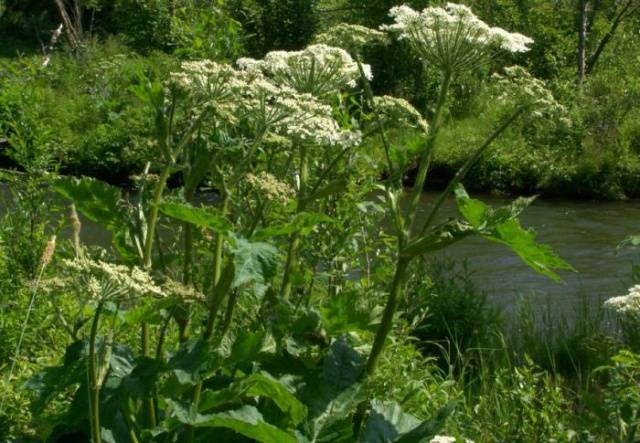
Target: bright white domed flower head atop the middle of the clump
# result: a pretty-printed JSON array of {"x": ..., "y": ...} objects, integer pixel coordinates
[{"x": 318, "y": 69}]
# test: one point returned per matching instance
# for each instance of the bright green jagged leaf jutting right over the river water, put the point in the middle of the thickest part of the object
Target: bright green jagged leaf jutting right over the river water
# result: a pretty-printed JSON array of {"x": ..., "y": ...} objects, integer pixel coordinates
[{"x": 502, "y": 226}]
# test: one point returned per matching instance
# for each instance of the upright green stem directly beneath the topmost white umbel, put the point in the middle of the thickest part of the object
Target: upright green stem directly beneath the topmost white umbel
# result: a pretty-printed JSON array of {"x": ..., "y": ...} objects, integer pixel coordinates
[{"x": 425, "y": 157}]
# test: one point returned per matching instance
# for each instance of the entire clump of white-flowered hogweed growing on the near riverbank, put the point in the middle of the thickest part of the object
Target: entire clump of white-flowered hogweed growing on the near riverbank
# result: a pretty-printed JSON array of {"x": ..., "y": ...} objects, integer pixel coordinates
[{"x": 252, "y": 323}]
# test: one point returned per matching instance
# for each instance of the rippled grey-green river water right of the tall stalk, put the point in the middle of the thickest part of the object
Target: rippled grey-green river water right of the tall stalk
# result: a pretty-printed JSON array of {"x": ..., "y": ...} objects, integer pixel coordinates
[{"x": 585, "y": 234}]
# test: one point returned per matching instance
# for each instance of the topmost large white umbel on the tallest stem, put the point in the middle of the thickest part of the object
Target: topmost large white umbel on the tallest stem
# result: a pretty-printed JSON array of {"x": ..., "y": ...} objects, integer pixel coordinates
[{"x": 452, "y": 38}]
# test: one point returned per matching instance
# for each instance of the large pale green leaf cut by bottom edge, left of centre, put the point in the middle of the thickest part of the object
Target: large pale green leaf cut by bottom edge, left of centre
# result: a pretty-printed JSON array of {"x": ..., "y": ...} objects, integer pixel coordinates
[{"x": 245, "y": 420}]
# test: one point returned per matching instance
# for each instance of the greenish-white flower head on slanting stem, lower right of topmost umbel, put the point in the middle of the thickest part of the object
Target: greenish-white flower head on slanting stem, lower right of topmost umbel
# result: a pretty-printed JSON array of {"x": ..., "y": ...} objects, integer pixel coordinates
[{"x": 519, "y": 87}]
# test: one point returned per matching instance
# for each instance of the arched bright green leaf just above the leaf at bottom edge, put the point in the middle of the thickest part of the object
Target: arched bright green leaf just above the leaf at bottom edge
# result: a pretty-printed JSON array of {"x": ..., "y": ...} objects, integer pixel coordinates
[{"x": 257, "y": 385}]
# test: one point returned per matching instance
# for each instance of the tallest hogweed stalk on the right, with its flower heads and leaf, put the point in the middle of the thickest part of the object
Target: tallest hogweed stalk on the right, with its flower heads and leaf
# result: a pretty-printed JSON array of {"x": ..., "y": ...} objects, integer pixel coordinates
[{"x": 453, "y": 39}]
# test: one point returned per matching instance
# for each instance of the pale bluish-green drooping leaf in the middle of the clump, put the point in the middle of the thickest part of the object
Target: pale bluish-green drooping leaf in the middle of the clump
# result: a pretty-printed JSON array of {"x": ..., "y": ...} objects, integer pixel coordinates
[{"x": 255, "y": 263}]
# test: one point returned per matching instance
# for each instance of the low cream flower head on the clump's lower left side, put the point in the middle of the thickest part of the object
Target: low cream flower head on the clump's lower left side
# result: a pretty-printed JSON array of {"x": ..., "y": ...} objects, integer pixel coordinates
[{"x": 109, "y": 279}]
